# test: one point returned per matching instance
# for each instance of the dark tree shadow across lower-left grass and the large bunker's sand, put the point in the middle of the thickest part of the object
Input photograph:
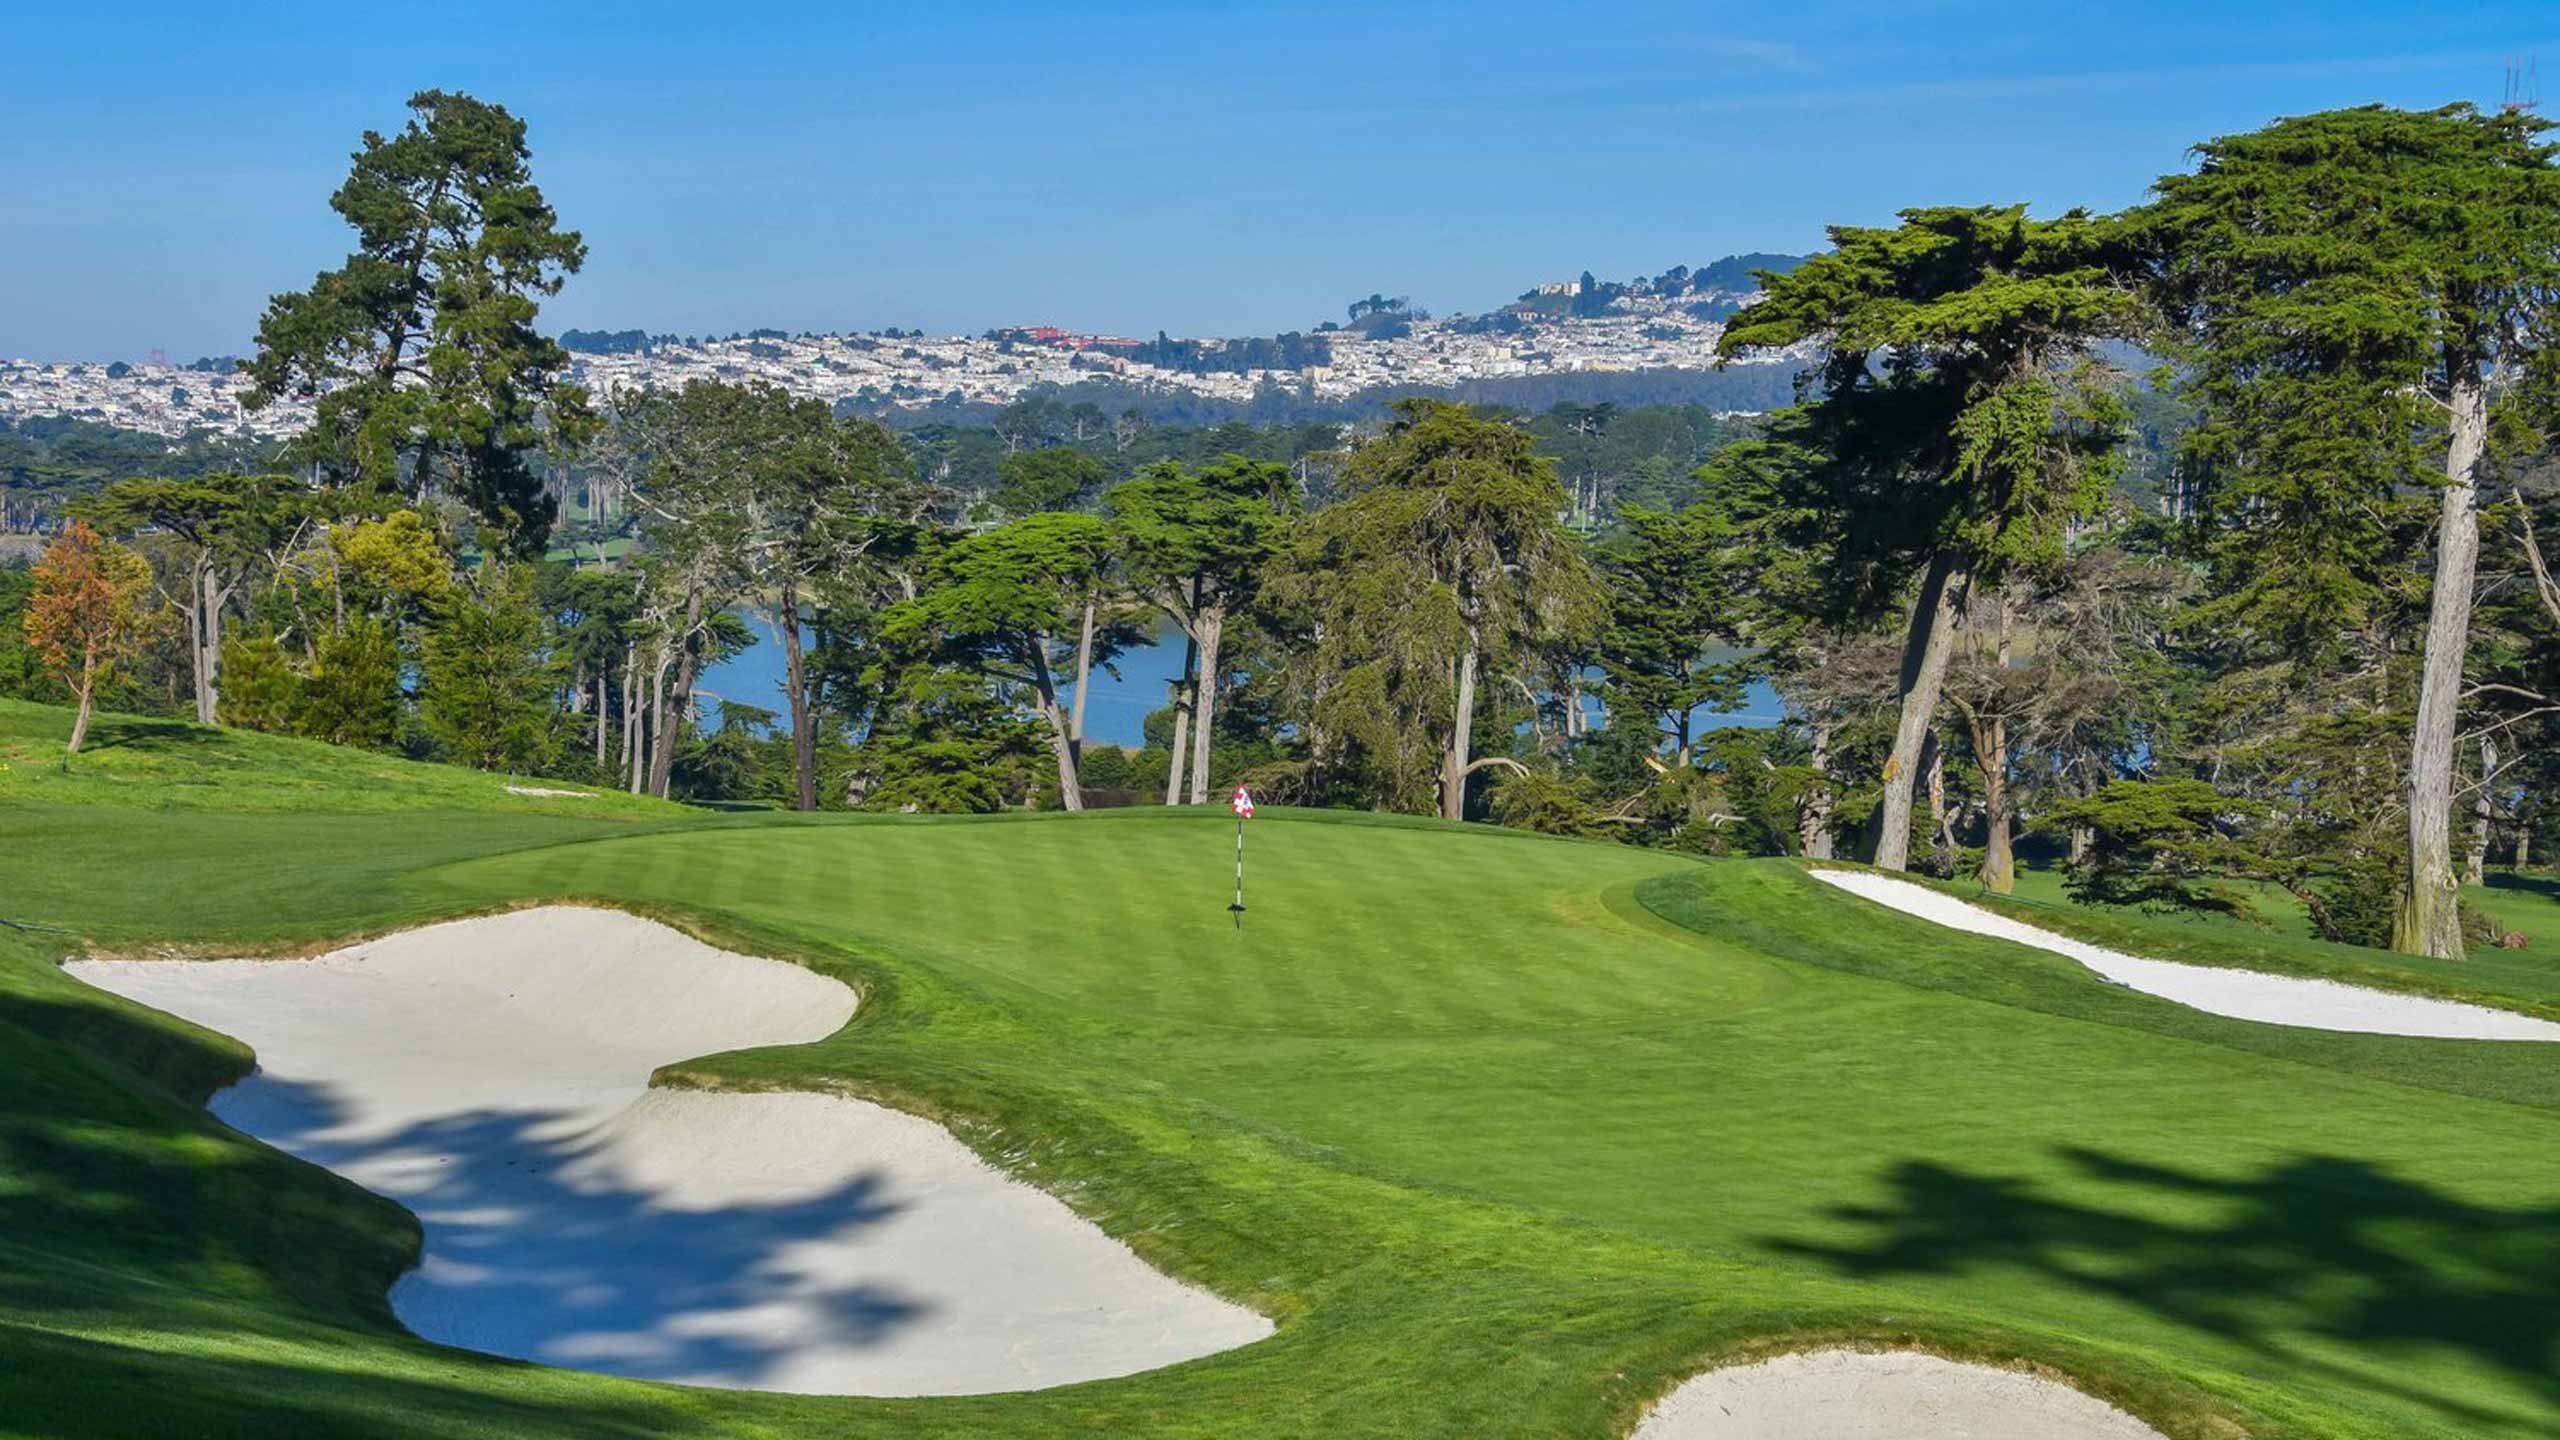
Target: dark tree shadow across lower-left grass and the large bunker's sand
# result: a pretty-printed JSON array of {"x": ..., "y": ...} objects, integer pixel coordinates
[{"x": 137, "y": 1211}]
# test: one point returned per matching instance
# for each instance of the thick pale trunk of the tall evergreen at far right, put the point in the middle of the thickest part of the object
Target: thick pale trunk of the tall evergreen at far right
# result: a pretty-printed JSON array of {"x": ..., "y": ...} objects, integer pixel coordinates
[{"x": 2431, "y": 921}]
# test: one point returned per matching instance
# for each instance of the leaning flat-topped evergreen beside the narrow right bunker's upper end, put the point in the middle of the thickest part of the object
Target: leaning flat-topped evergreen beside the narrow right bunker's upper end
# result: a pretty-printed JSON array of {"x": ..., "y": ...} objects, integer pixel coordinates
[{"x": 1960, "y": 427}]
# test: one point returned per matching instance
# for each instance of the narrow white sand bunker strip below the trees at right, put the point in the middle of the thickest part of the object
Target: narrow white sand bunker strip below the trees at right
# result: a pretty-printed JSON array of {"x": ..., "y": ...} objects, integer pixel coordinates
[{"x": 2244, "y": 995}]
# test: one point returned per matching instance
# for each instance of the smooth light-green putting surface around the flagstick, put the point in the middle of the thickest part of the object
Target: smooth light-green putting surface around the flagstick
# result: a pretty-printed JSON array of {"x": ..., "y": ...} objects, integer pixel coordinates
[{"x": 1123, "y": 921}]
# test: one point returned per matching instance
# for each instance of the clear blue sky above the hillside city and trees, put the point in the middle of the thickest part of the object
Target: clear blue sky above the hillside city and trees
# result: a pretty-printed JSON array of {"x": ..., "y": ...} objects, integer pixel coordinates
[{"x": 1125, "y": 168}]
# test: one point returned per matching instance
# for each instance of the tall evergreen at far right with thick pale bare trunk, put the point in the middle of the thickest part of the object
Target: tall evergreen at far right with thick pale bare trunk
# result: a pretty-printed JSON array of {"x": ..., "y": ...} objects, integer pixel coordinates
[{"x": 2359, "y": 288}]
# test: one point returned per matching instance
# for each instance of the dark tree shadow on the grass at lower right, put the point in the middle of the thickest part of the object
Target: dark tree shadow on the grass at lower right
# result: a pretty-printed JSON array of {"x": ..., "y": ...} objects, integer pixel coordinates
[{"x": 2316, "y": 1247}]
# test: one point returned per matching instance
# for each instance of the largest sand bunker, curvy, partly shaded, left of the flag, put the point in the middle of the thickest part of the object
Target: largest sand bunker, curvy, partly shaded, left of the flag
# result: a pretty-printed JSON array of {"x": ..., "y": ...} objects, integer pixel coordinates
[{"x": 493, "y": 1075}]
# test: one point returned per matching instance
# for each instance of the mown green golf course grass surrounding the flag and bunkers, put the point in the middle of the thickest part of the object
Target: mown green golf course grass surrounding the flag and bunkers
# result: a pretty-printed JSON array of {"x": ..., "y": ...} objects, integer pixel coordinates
[{"x": 1504, "y": 1131}]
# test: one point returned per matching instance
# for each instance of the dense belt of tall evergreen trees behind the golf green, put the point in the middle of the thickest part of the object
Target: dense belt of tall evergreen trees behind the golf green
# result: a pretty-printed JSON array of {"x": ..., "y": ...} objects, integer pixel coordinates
[{"x": 2272, "y": 614}]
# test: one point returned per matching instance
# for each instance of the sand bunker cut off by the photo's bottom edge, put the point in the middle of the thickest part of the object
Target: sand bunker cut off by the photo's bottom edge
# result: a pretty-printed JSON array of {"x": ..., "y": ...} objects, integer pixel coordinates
[{"x": 1883, "y": 1395}]
